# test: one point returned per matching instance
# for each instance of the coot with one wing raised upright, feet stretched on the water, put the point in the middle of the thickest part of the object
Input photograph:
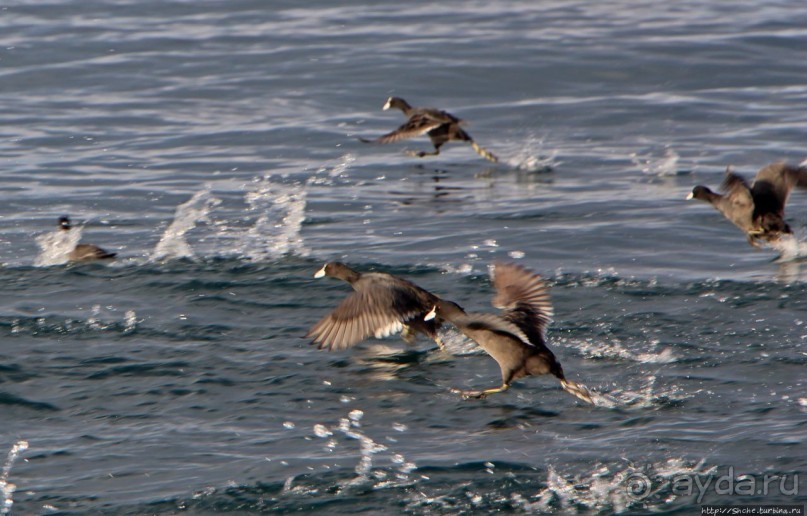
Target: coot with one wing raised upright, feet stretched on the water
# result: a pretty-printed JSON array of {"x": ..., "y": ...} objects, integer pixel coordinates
[{"x": 516, "y": 337}]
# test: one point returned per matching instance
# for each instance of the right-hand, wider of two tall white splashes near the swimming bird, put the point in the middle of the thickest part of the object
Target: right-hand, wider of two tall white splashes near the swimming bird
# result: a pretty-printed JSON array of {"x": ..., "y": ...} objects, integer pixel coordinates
[{"x": 277, "y": 229}]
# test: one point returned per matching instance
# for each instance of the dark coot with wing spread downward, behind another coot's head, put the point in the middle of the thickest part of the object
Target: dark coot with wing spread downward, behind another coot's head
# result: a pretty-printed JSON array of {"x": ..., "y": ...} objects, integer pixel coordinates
[{"x": 381, "y": 305}]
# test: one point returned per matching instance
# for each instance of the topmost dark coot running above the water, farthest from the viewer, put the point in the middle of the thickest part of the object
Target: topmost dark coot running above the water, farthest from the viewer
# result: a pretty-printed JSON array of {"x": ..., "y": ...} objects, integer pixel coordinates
[{"x": 440, "y": 126}]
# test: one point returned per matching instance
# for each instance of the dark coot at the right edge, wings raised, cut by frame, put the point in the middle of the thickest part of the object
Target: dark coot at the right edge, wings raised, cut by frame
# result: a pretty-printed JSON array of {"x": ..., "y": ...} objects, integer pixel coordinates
[{"x": 759, "y": 209}]
